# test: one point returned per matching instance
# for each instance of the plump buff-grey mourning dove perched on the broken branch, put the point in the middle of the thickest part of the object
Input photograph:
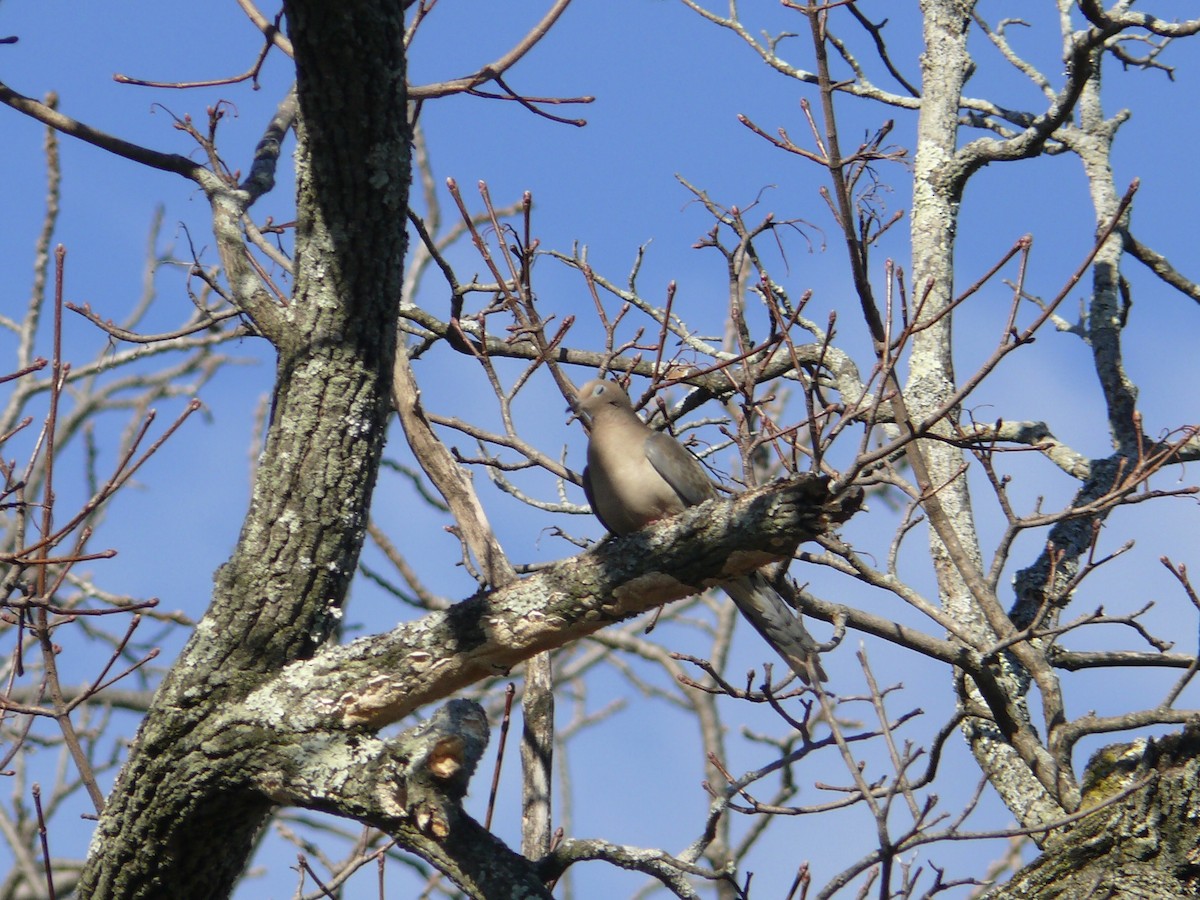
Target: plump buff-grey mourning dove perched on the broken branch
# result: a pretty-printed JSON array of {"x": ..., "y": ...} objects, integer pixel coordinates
[{"x": 637, "y": 476}]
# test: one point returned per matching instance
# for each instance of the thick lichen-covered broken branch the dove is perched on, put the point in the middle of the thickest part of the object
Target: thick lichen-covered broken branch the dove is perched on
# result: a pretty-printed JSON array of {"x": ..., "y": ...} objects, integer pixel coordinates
[{"x": 380, "y": 680}]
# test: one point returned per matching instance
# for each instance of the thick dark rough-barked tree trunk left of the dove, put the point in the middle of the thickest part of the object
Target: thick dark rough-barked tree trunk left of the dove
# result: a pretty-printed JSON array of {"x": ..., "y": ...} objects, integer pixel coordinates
[{"x": 182, "y": 820}]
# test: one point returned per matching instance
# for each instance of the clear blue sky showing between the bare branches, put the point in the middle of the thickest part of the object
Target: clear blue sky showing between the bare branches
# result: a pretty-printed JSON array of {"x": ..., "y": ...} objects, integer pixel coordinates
[{"x": 669, "y": 88}]
